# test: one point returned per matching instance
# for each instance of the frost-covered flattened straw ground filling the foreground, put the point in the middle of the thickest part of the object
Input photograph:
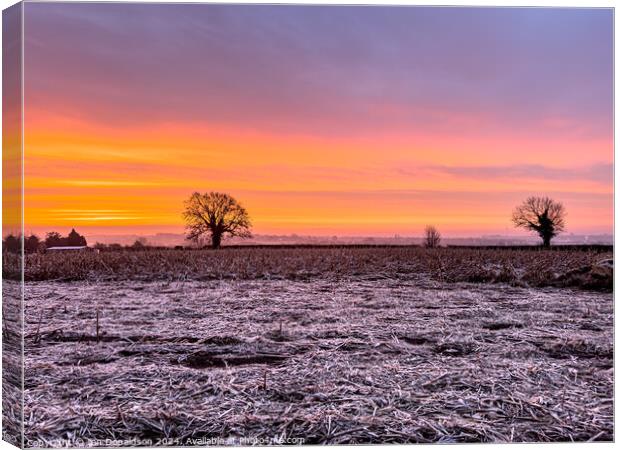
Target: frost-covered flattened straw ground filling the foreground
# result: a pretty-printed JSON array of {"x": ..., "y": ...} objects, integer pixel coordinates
[{"x": 364, "y": 360}]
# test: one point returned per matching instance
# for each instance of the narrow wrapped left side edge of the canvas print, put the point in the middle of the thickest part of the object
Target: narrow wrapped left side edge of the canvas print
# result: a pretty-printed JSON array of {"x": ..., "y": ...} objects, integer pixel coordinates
[{"x": 12, "y": 224}]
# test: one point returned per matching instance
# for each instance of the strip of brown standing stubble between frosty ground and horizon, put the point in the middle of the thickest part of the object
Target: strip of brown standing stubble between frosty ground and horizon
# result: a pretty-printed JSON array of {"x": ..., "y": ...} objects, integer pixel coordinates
[{"x": 516, "y": 267}]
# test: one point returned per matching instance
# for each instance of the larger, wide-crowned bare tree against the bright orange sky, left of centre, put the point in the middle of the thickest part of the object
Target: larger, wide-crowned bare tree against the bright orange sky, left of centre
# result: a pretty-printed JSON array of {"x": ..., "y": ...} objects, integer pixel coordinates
[{"x": 216, "y": 214}]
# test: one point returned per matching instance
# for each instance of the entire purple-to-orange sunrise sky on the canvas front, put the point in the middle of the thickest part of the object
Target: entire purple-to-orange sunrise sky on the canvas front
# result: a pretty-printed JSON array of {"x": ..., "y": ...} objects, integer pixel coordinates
[{"x": 319, "y": 120}]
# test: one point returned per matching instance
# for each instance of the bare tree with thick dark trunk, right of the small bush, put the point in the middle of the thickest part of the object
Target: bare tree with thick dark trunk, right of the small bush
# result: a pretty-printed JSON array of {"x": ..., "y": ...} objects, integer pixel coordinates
[{"x": 542, "y": 215}]
